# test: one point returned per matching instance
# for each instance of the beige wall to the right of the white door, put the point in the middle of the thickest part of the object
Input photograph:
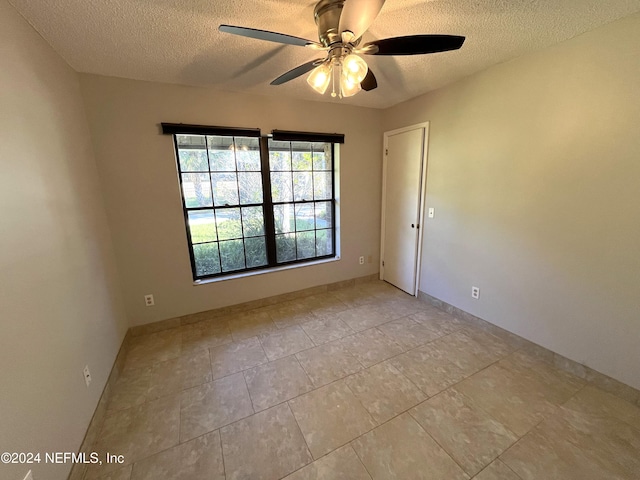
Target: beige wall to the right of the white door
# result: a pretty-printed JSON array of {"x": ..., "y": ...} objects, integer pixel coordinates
[{"x": 534, "y": 172}]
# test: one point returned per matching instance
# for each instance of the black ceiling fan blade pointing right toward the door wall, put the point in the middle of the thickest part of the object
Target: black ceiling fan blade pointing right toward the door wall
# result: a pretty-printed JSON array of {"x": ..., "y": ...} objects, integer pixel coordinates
[{"x": 414, "y": 45}]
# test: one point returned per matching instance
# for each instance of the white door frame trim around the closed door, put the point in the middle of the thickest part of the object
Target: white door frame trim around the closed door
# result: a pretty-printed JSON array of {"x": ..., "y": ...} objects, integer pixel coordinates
[{"x": 423, "y": 191}]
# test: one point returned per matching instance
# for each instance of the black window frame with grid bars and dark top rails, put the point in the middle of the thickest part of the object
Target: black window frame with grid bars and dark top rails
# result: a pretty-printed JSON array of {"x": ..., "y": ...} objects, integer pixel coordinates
[{"x": 267, "y": 201}]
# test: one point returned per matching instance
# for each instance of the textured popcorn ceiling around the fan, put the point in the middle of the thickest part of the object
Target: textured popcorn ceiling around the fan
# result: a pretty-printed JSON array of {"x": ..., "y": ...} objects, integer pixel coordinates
[{"x": 177, "y": 41}]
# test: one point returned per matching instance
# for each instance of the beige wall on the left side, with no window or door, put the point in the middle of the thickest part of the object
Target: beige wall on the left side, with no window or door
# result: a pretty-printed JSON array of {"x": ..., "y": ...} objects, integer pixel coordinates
[{"x": 60, "y": 307}]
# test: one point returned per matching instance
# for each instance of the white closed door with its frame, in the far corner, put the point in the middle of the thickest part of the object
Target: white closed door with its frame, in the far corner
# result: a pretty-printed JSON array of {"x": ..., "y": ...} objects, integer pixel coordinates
[{"x": 402, "y": 209}]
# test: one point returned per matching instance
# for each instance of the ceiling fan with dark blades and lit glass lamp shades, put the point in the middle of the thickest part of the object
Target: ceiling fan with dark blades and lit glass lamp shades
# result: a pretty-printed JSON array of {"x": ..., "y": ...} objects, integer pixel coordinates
[{"x": 341, "y": 24}]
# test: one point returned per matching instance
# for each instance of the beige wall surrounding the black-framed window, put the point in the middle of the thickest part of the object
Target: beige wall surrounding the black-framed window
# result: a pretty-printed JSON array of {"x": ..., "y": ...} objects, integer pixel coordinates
[{"x": 140, "y": 185}]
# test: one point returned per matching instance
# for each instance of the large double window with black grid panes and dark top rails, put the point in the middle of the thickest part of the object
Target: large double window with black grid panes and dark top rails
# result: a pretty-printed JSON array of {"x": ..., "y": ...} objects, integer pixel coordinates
[{"x": 254, "y": 202}]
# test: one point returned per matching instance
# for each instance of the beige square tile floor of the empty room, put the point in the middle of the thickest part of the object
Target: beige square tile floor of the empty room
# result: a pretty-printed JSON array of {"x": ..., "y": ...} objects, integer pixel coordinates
[{"x": 360, "y": 383}]
